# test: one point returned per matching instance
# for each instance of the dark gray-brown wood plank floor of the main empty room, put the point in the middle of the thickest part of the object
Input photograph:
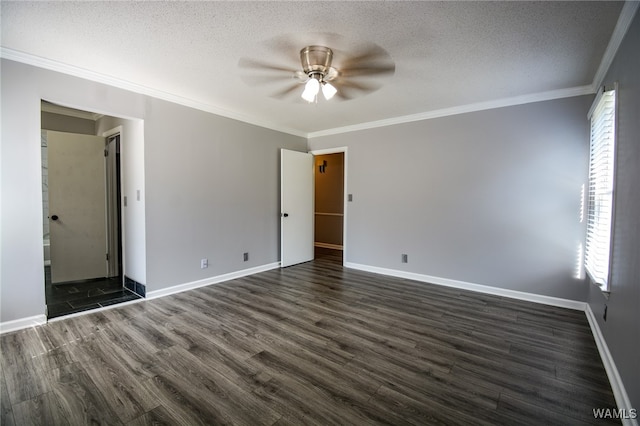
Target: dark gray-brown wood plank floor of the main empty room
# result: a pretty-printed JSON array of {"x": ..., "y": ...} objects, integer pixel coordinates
[{"x": 310, "y": 344}]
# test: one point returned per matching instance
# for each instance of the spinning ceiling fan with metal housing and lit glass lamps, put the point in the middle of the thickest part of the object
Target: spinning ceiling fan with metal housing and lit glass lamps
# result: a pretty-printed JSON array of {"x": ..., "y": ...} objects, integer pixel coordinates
[{"x": 321, "y": 71}]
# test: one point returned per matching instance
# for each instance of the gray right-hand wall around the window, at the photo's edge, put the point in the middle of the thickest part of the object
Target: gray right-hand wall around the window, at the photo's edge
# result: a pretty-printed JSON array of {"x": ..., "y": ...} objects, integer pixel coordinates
[{"x": 622, "y": 328}]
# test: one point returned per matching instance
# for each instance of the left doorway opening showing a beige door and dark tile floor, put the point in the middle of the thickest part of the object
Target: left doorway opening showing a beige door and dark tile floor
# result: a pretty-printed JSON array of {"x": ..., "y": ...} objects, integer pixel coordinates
[{"x": 82, "y": 217}]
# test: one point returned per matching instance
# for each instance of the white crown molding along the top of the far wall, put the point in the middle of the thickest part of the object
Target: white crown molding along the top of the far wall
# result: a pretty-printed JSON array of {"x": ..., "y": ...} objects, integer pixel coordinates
[{"x": 462, "y": 109}]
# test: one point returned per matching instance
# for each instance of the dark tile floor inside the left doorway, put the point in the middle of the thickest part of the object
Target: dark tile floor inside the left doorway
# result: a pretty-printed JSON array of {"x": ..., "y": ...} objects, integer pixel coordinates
[{"x": 68, "y": 298}]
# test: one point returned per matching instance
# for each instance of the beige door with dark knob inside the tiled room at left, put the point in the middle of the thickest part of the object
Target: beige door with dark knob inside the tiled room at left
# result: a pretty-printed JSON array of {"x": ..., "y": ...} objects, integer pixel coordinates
[{"x": 77, "y": 206}]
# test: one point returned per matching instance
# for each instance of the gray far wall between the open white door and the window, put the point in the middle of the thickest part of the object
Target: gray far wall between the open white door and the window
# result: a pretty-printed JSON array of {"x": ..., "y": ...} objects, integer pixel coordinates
[{"x": 490, "y": 197}]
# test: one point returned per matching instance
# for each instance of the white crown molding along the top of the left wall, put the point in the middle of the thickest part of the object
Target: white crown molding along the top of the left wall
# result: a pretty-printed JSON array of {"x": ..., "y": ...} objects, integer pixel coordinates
[{"x": 26, "y": 58}]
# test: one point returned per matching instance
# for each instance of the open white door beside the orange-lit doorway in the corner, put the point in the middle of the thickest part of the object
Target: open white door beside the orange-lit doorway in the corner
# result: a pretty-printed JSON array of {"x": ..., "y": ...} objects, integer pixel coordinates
[{"x": 296, "y": 207}]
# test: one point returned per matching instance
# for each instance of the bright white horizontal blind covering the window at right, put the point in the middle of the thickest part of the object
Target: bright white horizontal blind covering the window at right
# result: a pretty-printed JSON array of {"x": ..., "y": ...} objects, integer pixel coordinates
[{"x": 601, "y": 186}]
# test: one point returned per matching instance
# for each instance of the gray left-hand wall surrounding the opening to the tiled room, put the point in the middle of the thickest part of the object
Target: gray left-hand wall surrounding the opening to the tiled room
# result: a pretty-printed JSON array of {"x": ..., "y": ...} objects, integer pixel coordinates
[{"x": 211, "y": 185}]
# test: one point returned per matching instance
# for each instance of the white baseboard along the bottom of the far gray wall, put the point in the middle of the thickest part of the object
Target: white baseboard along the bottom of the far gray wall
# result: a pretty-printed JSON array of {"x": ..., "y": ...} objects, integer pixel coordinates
[{"x": 513, "y": 294}]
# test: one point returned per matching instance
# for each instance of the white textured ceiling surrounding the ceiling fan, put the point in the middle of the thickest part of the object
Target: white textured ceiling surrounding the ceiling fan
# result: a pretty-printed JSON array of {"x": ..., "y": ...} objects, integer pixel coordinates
[{"x": 448, "y": 55}]
